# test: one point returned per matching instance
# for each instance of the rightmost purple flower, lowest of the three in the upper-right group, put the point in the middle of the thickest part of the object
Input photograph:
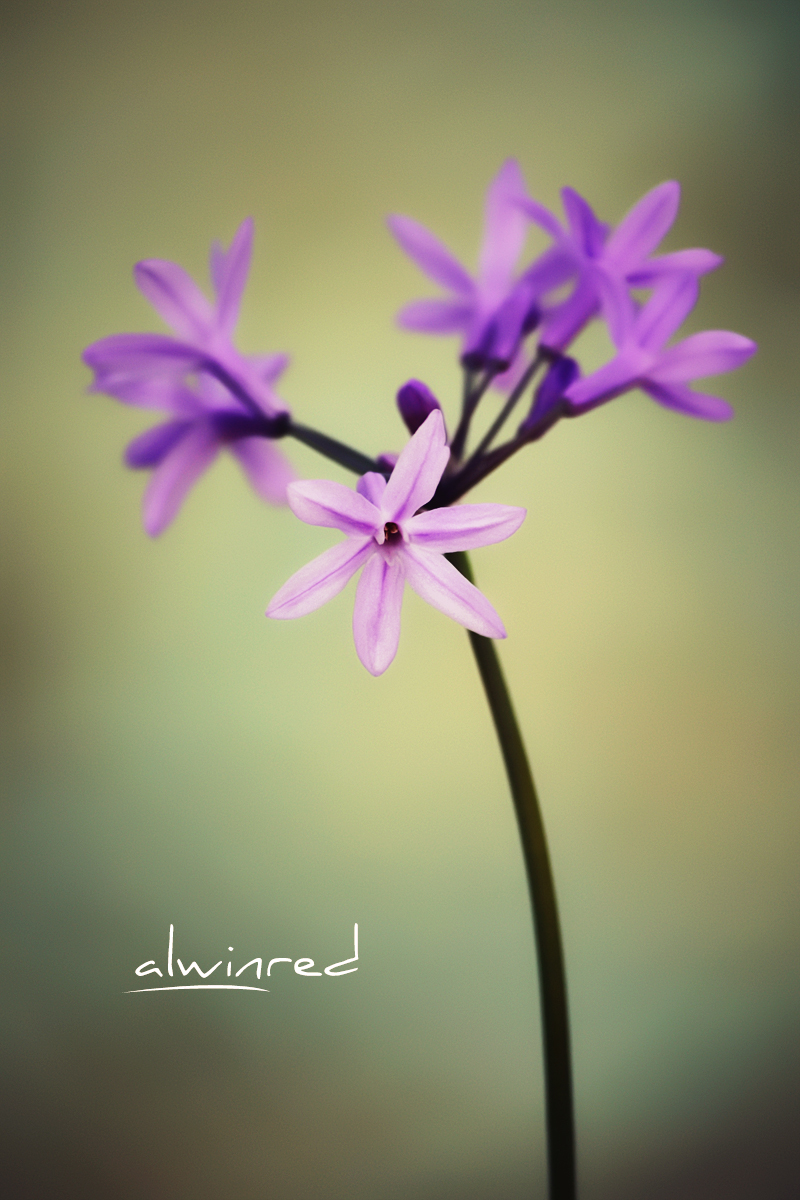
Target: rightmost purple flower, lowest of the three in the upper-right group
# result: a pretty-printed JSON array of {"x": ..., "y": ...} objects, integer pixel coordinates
[{"x": 643, "y": 362}]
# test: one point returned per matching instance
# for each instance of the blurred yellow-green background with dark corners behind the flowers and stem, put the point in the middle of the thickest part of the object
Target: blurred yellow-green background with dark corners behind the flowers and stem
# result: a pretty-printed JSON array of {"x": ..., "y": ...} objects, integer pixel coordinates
[{"x": 175, "y": 758}]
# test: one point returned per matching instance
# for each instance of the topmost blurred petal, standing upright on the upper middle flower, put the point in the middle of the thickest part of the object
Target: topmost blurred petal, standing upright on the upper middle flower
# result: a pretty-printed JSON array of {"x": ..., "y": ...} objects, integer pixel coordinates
[{"x": 504, "y": 232}]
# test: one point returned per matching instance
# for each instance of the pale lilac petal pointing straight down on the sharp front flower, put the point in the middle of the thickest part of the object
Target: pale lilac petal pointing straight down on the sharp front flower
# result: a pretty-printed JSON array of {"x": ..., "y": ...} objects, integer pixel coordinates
[{"x": 377, "y": 613}]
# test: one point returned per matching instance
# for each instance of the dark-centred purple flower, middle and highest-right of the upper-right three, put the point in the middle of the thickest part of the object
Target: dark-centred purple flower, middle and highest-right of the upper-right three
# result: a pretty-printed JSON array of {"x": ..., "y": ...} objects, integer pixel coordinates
[{"x": 587, "y": 249}]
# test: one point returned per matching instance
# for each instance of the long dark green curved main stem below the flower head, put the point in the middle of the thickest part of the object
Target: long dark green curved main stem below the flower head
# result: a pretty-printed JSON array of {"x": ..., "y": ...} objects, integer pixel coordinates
[{"x": 552, "y": 977}]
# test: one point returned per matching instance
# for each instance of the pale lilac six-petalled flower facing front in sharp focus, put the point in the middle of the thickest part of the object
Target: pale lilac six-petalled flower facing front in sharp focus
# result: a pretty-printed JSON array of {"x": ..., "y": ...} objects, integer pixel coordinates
[{"x": 396, "y": 545}]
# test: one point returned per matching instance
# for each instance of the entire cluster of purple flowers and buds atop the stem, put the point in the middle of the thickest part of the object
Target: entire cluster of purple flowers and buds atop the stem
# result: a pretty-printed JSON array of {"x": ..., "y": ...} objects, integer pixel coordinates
[{"x": 514, "y": 325}]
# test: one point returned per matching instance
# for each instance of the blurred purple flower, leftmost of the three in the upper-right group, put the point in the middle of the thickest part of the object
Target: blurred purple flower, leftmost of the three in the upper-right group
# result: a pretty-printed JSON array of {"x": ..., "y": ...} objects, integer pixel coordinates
[{"x": 490, "y": 311}]
